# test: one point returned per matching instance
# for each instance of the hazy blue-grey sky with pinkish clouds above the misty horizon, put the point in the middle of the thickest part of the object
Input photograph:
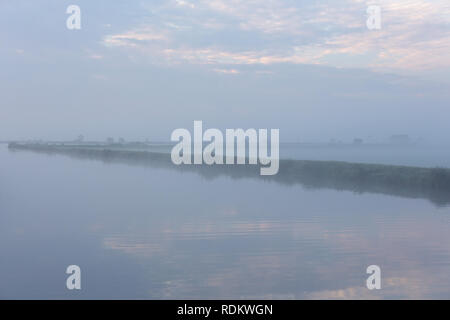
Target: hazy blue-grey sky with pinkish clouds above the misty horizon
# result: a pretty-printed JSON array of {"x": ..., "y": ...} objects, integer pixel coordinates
[{"x": 140, "y": 69}]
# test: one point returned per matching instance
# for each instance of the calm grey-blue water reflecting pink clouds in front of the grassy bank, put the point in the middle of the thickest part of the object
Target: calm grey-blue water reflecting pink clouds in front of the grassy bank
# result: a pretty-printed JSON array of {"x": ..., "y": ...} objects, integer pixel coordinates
[{"x": 143, "y": 232}]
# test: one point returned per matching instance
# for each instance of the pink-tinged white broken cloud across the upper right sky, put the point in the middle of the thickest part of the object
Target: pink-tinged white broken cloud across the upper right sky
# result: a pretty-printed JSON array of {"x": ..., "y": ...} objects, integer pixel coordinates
[{"x": 415, "y": 34}]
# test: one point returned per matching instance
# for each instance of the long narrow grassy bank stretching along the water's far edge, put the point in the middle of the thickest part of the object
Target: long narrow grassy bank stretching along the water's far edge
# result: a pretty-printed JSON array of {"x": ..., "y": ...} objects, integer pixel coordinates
[{"x": 412, "y": 182}]
